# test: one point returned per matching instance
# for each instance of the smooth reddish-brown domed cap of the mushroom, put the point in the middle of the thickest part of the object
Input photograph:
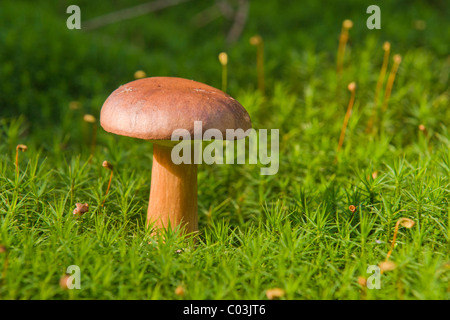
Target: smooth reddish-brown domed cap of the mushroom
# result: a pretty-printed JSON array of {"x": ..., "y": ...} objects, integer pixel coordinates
[{"x": 152, "y": 108}]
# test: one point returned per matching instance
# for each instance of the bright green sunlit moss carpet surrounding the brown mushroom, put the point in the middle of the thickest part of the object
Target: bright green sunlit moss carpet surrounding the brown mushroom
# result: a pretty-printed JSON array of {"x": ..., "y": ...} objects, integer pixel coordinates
[{"x": 292, "y": 230}]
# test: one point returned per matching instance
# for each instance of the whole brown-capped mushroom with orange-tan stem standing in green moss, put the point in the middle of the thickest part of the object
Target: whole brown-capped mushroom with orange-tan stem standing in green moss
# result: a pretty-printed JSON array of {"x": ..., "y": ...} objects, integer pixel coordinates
[{"x": 152, "y": 109}]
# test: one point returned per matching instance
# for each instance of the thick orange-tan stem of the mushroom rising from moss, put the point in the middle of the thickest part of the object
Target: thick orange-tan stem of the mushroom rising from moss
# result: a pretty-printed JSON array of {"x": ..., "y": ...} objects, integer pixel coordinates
[{"x": 173, "y": 193}]
